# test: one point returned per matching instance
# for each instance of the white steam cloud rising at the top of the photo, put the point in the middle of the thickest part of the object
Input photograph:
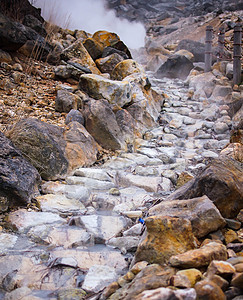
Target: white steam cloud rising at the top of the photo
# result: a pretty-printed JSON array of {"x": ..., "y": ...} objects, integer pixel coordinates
[{"x": 91, "y": 16}]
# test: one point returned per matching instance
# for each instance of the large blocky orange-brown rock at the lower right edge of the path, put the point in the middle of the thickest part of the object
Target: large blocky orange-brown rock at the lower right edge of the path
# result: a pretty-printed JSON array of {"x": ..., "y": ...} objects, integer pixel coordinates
[{"x": 165, "y": 236}]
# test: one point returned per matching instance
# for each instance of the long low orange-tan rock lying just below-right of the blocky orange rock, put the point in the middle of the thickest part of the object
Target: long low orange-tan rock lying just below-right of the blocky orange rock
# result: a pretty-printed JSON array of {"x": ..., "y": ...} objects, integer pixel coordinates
[{"x": 199, "y": 257}]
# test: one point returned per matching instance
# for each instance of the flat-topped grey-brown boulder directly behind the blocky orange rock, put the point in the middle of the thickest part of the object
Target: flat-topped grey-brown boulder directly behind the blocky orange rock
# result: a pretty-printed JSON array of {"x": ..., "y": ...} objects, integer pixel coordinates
[{"x": 202, "y": 213}]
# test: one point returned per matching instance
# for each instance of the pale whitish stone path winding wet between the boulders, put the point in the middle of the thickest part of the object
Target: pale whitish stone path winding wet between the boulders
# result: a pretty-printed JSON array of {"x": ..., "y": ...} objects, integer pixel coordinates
[{"x": 82, "y": 232}]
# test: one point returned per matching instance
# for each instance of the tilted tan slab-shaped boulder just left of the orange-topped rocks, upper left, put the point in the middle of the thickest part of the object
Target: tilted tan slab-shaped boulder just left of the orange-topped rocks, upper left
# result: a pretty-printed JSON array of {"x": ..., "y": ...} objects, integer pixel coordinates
[{"x": 77, "y": 53}]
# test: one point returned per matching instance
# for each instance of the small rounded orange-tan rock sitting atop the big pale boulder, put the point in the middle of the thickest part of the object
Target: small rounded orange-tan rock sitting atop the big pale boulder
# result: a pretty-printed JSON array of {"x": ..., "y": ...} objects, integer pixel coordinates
[{"x": 126, "y": 68}]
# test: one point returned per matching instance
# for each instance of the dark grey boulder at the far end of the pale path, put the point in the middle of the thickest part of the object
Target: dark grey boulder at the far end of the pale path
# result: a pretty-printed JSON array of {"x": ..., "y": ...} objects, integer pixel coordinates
[{"x": 176, "y": 66}]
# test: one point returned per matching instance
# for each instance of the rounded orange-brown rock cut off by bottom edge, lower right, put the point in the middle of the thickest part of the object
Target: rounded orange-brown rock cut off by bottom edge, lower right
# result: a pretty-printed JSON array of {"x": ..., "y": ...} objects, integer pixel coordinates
[{"x": 209, "y": 290}]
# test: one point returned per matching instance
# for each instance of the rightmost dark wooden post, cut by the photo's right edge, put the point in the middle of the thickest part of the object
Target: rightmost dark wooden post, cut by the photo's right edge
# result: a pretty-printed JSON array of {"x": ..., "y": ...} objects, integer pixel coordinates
[{"x": 237, "y": 54}]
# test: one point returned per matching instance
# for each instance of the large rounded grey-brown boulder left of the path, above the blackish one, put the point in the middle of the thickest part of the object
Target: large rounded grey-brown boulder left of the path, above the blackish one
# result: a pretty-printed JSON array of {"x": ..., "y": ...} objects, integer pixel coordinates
[{"x": 43, "y": 145}]
